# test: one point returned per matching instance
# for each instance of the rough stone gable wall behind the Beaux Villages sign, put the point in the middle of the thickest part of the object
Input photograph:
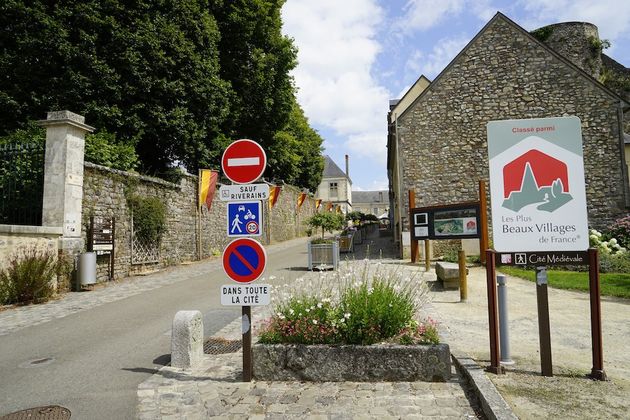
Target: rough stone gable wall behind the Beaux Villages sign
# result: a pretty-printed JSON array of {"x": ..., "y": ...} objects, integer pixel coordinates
[{"x": 505, "y": 74}]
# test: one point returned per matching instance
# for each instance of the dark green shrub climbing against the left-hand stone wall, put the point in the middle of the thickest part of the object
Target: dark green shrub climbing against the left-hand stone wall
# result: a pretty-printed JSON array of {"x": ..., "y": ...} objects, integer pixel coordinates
[{"x": 149, "y": 218}]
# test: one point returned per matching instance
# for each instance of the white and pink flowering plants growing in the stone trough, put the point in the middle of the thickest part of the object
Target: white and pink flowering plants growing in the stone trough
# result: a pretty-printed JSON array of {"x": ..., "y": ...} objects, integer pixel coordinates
[{"x": 350, "y": 306}]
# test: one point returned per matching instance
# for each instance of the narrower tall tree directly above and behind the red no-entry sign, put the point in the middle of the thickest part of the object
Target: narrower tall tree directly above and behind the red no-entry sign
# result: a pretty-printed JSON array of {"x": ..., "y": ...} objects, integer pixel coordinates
[{"x": 256, "y": 59}]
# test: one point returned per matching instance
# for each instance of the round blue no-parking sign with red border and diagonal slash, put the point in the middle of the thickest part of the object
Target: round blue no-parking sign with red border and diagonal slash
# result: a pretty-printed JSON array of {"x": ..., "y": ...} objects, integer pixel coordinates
[{"x": 244, "y": 260}]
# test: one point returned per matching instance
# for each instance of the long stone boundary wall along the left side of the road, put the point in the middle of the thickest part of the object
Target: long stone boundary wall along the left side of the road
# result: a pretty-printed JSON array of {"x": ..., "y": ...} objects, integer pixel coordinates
[{"x": 104, "y": 196}]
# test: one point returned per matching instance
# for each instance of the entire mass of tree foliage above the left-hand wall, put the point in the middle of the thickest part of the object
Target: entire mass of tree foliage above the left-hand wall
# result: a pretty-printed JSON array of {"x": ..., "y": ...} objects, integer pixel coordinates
[{"x": 176, "y": 80}]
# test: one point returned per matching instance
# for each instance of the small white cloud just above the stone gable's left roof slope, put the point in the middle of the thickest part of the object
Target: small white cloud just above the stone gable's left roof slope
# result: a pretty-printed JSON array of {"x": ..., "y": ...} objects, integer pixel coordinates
[{"x": 432, "y": 64}]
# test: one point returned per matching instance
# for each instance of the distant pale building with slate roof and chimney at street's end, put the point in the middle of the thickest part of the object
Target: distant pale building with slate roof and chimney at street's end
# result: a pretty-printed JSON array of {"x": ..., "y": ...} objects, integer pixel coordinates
[{"x": 335, "y": 186}]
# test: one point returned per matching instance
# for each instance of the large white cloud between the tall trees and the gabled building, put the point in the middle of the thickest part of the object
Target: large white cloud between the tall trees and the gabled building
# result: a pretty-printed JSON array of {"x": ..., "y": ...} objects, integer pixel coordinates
[{"x": 337, "y": 49}]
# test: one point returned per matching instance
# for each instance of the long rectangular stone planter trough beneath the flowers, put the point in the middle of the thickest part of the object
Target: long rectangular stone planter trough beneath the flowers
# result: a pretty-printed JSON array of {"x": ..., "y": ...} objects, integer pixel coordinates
[{"x": 323, "y": 363}]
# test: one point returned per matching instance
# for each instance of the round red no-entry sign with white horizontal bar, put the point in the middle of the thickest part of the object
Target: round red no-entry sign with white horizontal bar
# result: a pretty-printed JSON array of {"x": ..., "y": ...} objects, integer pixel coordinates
[{"x": 244, "y": 161}]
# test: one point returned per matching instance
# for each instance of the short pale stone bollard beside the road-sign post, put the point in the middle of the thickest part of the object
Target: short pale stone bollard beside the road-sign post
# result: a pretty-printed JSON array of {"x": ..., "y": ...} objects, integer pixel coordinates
[{"x": 187, "y": 339}]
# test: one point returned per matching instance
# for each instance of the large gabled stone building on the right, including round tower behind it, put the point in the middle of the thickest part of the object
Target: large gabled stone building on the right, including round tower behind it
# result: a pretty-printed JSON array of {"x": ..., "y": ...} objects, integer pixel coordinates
[{"x": 437, "y": 137}]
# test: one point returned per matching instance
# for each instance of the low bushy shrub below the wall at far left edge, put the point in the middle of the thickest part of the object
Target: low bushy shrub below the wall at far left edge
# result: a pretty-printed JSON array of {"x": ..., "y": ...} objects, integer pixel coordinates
[{"x": 28, "y": 277}]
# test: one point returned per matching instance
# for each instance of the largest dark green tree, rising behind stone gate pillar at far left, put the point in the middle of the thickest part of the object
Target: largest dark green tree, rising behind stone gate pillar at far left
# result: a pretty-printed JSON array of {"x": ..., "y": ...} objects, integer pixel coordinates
[{"x": 146, "y": 71}]
